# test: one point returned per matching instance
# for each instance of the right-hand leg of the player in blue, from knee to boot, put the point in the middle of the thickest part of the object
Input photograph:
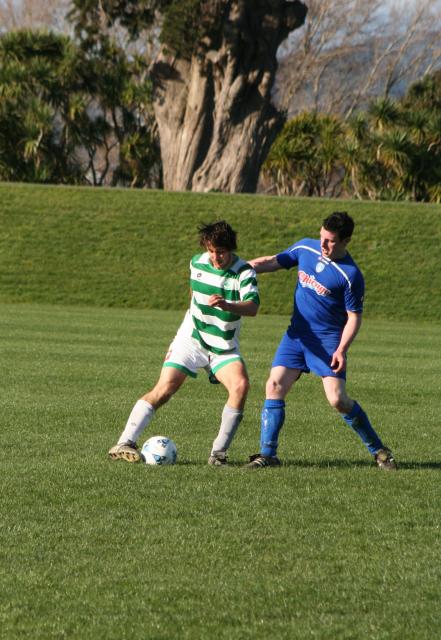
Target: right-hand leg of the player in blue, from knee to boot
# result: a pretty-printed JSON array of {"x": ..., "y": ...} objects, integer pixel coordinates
[{"x": 356, "y": 418}]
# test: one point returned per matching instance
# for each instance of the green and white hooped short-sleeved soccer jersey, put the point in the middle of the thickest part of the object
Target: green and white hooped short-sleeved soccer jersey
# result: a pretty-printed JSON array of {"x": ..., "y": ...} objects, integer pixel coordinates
[{"x": 217, "y": 330}]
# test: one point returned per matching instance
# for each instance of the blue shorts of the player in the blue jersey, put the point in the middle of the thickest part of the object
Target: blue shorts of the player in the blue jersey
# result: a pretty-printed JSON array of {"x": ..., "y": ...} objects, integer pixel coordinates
[{"x": 308, "y": 353}]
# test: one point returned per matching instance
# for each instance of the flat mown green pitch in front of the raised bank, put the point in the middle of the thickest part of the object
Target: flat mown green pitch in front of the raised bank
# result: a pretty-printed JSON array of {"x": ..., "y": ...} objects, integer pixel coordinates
[{"x": 325, "y": 547}]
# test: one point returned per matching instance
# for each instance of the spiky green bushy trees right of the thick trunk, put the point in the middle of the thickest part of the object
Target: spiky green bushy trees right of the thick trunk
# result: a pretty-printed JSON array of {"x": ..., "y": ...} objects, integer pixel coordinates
[{"x": 390, "y": 152}]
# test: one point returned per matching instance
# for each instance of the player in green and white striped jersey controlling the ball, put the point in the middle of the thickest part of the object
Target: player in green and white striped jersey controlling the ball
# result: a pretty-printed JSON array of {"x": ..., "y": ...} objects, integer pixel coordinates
[{"x": 223, "y": 290}]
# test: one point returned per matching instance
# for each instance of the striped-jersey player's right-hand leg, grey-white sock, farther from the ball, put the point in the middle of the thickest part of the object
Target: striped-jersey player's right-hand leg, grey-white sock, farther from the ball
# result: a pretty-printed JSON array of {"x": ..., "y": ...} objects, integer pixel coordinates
[{"x": 234, "y": 377}]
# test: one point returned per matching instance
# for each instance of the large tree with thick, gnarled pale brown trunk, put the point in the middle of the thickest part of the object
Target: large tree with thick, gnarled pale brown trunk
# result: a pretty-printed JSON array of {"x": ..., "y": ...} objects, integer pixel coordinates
[{"x": 212, "y": 81}]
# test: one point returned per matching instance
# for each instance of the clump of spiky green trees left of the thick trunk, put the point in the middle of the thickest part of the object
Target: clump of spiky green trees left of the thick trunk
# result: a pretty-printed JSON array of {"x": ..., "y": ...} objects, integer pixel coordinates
[{"x": 70, "y": 117}]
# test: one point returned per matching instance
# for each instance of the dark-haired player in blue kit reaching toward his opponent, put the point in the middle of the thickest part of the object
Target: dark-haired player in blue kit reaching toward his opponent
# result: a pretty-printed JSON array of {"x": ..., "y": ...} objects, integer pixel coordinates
[{"x": 328, "y": 305}]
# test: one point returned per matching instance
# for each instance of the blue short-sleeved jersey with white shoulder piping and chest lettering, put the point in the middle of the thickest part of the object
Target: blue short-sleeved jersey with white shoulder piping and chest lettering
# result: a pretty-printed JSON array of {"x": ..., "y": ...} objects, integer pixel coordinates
[{"x": 326, "y": 289}]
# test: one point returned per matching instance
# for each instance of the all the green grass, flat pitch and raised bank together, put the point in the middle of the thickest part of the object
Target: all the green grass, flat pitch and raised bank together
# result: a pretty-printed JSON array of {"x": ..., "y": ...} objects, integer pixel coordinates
[{"x": 325, "y": 547}]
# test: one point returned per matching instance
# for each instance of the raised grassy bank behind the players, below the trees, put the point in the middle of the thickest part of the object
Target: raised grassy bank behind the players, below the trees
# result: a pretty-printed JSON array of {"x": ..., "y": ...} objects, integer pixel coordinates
[{"x": 131, "y": 248}]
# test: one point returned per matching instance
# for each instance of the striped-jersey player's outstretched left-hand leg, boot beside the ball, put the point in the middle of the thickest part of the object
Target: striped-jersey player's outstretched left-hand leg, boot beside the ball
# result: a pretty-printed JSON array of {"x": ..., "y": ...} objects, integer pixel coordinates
[{"x": 170, "y": 380}]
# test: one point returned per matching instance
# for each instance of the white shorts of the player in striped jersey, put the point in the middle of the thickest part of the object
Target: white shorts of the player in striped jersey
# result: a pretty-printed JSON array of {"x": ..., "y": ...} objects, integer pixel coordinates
[{"x": 185, "y": 353}]
